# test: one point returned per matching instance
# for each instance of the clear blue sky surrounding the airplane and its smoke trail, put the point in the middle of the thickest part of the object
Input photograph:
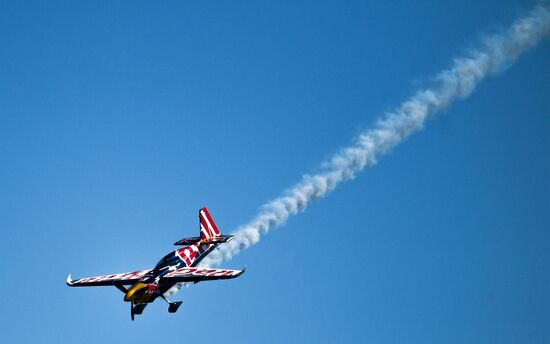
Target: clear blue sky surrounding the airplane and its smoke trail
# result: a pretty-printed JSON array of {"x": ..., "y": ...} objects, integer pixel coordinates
[{"x": 119, "y": 120}]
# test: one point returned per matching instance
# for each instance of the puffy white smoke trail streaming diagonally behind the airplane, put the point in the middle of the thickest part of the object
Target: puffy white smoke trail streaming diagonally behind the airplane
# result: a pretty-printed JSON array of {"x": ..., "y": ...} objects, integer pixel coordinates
[{"x": 496, "y": 52}]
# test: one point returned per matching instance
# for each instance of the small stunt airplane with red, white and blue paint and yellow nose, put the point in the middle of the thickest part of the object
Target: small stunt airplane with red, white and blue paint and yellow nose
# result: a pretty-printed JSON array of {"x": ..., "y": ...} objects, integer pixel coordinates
[{"x": 179, "y": 266}]
